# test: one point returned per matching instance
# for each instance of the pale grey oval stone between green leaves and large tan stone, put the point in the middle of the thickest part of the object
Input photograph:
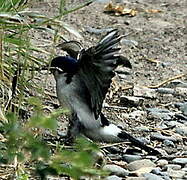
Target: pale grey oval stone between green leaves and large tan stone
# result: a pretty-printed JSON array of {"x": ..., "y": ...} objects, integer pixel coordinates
[{"x": 116, "y": 170}]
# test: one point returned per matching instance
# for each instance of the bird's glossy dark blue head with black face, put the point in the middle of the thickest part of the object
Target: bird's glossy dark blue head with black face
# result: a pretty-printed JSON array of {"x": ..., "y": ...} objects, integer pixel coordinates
[{"x": 64, "y": 64}]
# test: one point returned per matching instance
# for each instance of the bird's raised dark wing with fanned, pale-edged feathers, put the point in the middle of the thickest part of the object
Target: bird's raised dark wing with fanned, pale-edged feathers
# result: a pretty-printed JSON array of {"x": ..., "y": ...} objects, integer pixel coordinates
[{"x": 97, "y": 66}]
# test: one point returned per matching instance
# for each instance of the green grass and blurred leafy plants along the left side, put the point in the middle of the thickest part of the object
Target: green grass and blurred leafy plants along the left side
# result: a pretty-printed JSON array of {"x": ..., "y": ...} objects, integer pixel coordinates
[{"x": 20, "y": 143}]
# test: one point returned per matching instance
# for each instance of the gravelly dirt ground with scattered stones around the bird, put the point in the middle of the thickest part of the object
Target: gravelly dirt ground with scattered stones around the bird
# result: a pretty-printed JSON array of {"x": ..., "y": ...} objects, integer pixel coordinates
[{"x": 149, "y": 101}]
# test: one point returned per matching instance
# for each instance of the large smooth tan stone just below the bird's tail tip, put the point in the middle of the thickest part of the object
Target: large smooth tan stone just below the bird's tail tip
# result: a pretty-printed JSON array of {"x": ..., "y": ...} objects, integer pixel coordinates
[{"x": 135, "y": 165}]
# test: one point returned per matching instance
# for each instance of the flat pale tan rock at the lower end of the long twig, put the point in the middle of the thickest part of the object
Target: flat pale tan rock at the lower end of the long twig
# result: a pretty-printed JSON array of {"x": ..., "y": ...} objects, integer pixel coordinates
[{"x": 144, "y": 92}]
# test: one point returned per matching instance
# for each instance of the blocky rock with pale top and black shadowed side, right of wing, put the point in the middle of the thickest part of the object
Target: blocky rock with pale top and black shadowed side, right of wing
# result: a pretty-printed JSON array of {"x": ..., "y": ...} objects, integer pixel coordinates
[{"x": 131, "y": 101}]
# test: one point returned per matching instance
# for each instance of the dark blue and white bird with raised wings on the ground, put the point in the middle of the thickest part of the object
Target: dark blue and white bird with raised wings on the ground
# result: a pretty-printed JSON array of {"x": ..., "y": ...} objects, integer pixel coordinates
[{"x": 83, "y": 78}]
